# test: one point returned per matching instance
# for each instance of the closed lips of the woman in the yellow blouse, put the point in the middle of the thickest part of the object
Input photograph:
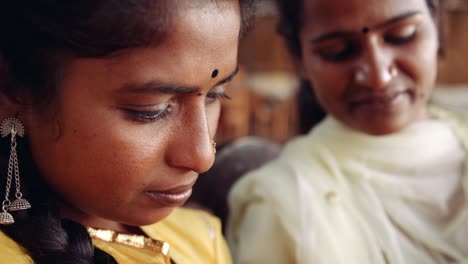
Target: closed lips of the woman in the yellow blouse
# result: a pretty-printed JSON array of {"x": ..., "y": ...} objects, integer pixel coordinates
[{"x": 173, "y": 197}]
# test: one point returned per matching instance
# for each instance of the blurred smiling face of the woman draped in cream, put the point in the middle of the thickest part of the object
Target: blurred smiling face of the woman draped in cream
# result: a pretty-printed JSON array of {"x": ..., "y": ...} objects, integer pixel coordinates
[{"x": 372, "y": 63}]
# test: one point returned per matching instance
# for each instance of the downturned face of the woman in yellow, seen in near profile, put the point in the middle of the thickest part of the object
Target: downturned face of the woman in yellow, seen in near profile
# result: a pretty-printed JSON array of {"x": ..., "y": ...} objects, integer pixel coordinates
[{"x": 134, "y": 126}]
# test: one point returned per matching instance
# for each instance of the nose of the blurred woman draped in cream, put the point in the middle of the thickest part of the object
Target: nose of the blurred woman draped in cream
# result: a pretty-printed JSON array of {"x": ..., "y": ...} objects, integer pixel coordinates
[{"x": 376, "y": 68}]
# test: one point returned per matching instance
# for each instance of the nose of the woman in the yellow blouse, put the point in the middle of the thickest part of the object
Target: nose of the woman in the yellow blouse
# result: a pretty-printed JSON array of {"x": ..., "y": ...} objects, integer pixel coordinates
[{"x": 192, "y": 146}]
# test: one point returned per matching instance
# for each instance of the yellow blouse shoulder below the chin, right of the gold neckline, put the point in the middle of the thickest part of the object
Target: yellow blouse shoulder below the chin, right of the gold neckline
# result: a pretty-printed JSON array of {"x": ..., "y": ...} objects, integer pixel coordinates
[{"x": 194, "y": 236}]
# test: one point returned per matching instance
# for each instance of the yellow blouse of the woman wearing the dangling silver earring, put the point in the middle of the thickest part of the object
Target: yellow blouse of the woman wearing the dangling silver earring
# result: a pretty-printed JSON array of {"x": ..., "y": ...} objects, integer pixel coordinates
[{"x": 193, "y": 237}]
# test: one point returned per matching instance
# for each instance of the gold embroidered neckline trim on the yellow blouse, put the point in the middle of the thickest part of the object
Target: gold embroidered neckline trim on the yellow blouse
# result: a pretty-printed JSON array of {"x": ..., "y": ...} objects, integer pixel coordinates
[{"x": 137, "y": 241}]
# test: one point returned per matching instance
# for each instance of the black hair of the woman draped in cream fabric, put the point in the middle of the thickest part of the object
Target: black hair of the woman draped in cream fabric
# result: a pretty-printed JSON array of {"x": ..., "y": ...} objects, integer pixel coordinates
[{"x": 289, "y": 26}]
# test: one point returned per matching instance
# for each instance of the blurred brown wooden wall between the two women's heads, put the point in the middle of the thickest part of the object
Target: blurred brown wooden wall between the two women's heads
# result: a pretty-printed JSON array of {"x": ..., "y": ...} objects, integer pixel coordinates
[{"x": 255, "y": 109}]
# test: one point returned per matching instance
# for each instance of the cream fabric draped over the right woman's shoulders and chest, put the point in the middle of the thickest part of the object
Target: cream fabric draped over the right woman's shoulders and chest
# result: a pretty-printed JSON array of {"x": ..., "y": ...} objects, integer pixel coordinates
[{"x": 339, "y": 196}]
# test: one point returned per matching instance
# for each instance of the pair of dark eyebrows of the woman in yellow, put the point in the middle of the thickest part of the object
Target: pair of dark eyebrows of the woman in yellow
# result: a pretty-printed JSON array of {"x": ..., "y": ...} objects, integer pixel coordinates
[{"x": 158, "y": 87}]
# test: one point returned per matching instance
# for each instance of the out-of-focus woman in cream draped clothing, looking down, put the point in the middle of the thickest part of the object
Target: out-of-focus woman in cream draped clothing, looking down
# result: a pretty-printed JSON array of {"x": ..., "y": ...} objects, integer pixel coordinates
[{"x": 382, "y": 179}]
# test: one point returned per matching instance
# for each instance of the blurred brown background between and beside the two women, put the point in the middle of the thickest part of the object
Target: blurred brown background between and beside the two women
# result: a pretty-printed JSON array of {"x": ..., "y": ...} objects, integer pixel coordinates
[{"x": 268, "y": 106}]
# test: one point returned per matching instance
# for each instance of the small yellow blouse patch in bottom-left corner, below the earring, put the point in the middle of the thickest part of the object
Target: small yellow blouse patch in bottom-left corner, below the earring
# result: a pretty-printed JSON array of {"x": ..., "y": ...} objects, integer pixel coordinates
[{"x": 11, "y": 252}]
